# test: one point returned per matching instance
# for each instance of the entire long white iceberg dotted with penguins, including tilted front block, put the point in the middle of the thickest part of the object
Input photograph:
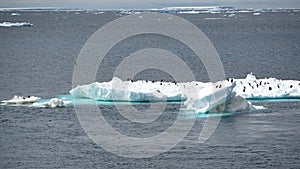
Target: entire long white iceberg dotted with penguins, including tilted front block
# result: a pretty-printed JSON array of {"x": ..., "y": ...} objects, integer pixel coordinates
[{"x": 227, "y": 95}]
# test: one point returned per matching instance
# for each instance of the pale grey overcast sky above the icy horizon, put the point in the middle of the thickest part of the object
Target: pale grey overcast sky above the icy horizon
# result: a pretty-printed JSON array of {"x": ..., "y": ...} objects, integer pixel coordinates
[{"x": 133, "y": 4}]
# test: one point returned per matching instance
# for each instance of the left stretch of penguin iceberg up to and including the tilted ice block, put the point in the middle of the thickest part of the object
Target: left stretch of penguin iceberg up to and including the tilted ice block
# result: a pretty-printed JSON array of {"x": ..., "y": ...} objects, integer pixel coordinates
[{"x": 197, "y": 96}]
